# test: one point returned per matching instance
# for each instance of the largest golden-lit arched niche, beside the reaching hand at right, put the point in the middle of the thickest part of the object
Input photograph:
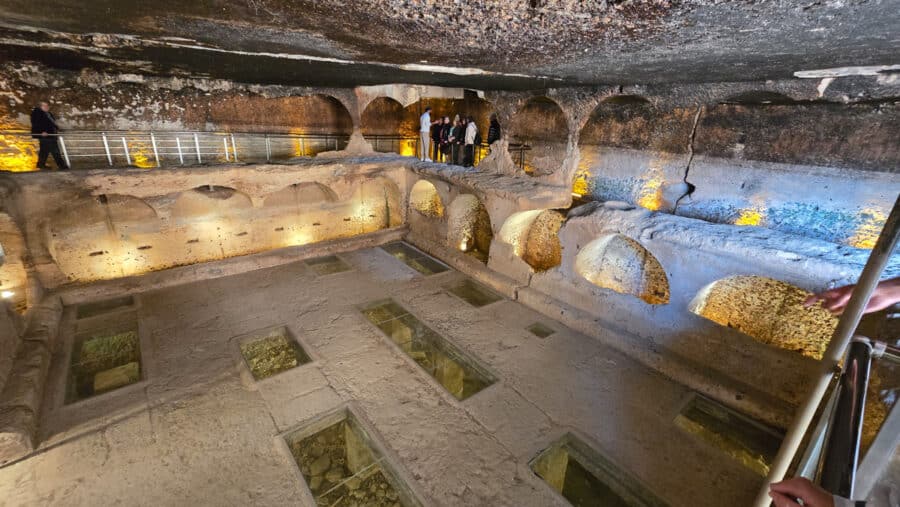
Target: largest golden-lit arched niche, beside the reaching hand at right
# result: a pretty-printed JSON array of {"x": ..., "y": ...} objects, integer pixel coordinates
[{"x": 768, "y": 310}]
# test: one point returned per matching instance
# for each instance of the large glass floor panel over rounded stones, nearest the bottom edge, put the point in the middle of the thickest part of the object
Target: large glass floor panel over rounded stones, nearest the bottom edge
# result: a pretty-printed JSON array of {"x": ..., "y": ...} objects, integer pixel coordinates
[{"x": 342, "y": 468}]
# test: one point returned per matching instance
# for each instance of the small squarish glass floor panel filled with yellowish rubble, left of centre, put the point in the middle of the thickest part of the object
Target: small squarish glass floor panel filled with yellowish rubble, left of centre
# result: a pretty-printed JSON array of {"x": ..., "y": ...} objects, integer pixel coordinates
[{"x": 272, "y": 352}]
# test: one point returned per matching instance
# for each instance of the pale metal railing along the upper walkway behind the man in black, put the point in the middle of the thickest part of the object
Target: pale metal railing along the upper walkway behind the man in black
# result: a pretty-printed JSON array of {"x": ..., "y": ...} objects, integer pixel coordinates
[{"x": 146, "y": 149}]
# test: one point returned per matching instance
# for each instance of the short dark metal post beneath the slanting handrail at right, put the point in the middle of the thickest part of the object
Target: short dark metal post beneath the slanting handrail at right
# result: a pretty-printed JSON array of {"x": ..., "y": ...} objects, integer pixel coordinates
[{"x": 841, "y": 452}]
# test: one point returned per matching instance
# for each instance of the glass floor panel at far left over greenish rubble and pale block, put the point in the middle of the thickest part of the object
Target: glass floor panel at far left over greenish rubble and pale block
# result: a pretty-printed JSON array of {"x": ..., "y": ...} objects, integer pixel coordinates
[{"x": 102, "y": 362}]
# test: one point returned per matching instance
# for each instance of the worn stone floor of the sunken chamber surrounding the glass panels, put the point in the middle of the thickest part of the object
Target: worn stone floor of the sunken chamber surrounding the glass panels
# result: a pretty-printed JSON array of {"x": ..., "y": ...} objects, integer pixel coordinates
[{"x": 196, "y": 432}]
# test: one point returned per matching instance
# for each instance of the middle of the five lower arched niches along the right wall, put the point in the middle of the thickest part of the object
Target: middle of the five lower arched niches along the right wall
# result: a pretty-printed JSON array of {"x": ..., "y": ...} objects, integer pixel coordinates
[{"x": 534, "y": 236}]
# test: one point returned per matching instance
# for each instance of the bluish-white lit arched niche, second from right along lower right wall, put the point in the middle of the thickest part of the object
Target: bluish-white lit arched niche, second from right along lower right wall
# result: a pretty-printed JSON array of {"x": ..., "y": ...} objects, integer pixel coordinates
[{"x": 619, "y": 263}]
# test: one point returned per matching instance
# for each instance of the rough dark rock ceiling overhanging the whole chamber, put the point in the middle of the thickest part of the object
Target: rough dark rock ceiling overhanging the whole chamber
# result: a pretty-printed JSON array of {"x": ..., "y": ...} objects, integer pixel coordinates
[{"x": 485, "y": 44}]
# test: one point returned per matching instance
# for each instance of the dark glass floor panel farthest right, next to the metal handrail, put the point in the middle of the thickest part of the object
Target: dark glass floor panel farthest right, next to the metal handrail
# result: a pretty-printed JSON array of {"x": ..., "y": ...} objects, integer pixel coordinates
[{"x": 750, "y": 442}]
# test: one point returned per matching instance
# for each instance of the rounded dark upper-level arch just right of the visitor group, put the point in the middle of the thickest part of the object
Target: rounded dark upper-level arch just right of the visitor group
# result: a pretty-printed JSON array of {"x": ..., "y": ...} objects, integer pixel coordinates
[{"x": 542, "y": 126}]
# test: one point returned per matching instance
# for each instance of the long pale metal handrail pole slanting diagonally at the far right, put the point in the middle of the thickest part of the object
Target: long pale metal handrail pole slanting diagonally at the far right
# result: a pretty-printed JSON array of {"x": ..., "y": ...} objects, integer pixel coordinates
[{"x": 878, "y": 259}]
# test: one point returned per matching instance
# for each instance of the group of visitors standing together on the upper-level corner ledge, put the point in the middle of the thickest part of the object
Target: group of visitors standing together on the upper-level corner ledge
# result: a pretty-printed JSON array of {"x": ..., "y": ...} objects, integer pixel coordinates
[{"x": 452, "y": 142}]
